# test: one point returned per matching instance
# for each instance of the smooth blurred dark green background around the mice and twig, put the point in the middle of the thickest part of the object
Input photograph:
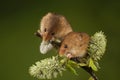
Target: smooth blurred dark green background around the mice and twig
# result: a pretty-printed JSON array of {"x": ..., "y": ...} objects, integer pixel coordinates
[{"x": 19, "y": 47}]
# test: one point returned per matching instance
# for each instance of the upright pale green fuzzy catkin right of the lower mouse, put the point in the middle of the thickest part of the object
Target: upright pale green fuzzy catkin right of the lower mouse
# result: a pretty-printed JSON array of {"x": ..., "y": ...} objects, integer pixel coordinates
[{"x": 97, "y": 47}]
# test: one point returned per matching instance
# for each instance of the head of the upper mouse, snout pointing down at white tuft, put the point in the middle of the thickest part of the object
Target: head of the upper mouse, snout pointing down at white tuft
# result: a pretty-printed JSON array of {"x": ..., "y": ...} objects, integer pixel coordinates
[{"x": 48, "y": 24}]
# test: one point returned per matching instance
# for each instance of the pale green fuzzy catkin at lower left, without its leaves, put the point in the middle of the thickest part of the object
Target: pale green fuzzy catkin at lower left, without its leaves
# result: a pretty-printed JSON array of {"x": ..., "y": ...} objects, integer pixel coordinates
[{"x": 47, "y": 68}]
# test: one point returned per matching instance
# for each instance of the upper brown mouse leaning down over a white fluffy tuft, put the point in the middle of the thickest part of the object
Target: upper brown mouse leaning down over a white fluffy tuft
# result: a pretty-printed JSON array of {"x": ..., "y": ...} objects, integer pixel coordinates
[{"x": 54, "y": 26}]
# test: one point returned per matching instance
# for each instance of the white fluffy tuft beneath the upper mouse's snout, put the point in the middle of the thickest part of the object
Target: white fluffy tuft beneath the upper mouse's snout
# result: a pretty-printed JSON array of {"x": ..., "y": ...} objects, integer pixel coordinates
[{"x": 45, "y": 47}]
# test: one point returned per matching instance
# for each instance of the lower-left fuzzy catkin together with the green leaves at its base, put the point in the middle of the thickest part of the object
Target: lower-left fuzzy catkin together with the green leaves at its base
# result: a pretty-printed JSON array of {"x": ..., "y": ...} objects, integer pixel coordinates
[{"x": 50, "y": 67}]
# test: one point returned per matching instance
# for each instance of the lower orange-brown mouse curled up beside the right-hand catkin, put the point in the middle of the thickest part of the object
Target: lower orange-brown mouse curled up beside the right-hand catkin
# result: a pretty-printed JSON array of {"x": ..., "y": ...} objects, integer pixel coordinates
[{"x": 74, "y": 45}]
